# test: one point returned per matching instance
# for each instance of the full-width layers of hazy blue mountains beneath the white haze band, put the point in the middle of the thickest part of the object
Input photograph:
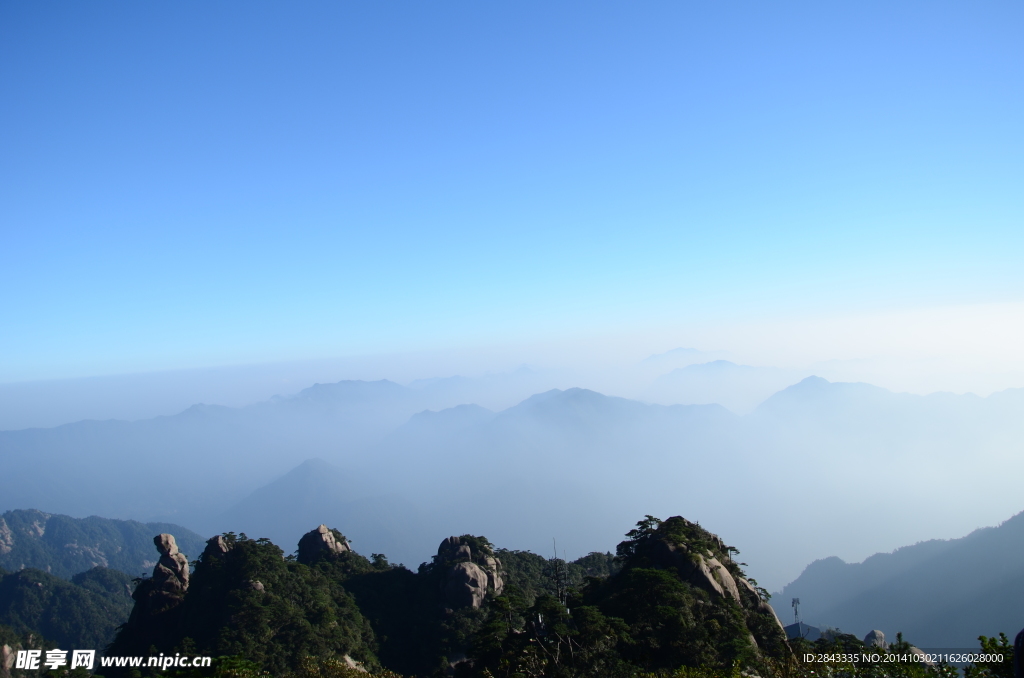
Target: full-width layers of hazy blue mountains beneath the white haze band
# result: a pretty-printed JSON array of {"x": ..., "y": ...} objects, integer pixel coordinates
[{"x": 793, "y": 480}]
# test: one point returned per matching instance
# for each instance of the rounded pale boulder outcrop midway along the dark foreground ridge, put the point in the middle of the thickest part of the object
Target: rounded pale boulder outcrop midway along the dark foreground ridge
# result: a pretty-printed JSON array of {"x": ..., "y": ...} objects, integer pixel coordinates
[{"x": 470, "y": 574}]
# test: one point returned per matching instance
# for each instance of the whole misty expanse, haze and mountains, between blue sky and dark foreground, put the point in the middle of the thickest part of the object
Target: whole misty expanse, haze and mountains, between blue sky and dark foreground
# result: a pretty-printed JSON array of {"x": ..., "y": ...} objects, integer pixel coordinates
[{"x": 788, "y": 474}]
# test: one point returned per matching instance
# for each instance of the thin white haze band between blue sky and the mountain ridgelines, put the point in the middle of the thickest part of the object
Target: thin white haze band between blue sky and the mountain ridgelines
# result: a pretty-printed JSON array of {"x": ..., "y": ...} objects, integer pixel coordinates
[{"x": 971, "y": 349}]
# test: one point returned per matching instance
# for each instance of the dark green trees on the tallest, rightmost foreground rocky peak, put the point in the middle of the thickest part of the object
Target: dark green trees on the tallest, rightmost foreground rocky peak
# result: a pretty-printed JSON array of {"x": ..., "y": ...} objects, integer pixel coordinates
[{"x": 649, "y": 617}]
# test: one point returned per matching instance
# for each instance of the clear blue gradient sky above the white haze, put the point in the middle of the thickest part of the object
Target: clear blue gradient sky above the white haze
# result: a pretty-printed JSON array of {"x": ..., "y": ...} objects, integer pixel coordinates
[{"x": 187, "y": 184}]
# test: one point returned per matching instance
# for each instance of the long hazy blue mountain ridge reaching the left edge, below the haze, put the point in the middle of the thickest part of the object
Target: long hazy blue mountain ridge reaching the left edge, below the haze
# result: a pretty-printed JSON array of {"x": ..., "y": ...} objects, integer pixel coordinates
[{"x": 197, "y": 462}]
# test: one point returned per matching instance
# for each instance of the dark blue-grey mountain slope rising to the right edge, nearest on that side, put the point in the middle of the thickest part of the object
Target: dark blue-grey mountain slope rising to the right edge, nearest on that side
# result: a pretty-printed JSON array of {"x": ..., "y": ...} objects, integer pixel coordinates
[{"x": 943, "y": 594}]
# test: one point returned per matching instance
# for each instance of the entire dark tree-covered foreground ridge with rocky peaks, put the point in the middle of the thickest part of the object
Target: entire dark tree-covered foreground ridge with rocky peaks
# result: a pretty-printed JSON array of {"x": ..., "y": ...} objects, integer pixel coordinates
[{"x": 672, "y": 604}]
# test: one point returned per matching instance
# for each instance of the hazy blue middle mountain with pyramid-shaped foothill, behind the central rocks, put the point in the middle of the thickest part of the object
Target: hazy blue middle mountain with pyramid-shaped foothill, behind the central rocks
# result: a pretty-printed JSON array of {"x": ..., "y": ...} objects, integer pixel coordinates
[{"x": 544, "y": 468}]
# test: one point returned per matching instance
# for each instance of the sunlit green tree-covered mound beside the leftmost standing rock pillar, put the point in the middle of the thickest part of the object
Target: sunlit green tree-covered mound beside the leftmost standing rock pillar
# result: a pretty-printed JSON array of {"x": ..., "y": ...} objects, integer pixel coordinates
[{"x": 253, "y": 603}]
